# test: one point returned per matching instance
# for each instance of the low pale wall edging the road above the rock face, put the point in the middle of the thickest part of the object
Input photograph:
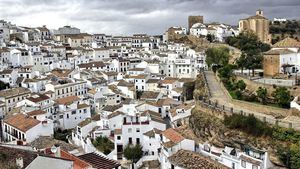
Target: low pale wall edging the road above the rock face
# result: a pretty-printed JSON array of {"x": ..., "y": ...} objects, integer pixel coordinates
[{"x": 260, "y": 116}]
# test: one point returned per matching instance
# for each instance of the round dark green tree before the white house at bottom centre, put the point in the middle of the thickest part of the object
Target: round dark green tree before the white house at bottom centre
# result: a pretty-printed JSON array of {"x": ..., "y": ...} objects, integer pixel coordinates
[{"x": 133, "y": 152}]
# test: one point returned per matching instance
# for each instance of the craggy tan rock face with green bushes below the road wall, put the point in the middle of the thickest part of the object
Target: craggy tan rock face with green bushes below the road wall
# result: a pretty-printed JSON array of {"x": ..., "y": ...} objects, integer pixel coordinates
[{"x": 236, "y": 131}]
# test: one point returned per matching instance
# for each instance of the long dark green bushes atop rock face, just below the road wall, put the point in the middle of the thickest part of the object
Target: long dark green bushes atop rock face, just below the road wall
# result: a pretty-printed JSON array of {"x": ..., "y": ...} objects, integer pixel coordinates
[{"x": 248, "y": 124}]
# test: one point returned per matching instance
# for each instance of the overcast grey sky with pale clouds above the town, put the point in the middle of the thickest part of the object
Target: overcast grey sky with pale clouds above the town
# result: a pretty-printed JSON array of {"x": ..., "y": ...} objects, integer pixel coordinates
[{"x": 125, "y": 17}]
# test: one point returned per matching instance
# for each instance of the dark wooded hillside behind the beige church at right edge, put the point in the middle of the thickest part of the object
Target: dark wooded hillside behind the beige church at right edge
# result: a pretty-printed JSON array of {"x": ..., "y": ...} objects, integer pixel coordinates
[{"x": 281, "y": 30}]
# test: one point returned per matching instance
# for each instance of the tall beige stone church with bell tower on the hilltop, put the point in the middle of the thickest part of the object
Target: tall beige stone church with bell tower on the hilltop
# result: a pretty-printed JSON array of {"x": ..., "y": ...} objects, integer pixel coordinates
[{"x": 257, "y": 24}]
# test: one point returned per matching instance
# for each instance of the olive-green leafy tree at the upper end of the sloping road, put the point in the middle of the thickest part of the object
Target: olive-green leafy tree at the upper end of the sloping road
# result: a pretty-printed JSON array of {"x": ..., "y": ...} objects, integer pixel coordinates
[{"x": 217, "y": 56}]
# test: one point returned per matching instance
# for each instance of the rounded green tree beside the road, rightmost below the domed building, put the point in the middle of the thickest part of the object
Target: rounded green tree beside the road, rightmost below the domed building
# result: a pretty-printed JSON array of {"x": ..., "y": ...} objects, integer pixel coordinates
[{"x": 282, "y": 96}]
